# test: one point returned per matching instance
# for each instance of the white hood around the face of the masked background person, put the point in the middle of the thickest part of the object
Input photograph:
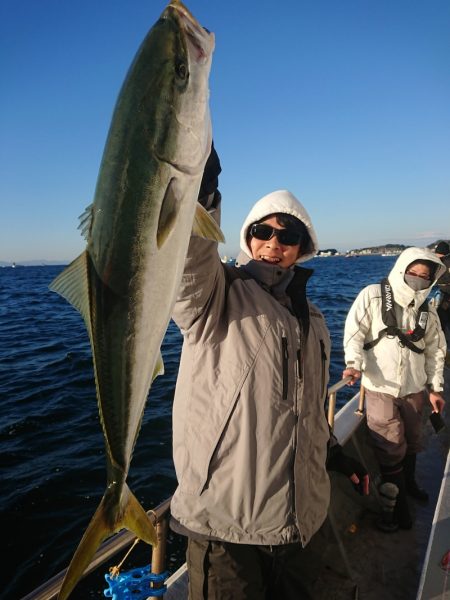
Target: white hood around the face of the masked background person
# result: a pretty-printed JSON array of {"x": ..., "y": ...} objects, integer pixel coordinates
[{"x": 403, "y": 294}]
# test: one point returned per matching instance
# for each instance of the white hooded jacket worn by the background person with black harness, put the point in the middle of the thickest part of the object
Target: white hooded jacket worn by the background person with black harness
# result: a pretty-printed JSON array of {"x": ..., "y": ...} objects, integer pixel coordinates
[{"x": 389, "y": 367}]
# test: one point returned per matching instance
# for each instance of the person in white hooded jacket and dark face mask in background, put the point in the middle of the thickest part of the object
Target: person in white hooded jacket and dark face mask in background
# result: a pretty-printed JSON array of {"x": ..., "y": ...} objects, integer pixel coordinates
[{"x": 394, "y": 340}]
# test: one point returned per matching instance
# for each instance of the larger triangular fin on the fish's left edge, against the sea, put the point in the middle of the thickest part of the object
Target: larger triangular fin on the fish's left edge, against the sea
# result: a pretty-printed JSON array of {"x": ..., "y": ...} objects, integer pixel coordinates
[{"x": 73, "y": 285}]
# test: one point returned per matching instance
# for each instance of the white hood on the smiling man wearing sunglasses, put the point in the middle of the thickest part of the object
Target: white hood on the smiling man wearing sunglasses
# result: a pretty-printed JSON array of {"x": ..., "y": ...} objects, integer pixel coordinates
[{"x": 284, "y": 202}]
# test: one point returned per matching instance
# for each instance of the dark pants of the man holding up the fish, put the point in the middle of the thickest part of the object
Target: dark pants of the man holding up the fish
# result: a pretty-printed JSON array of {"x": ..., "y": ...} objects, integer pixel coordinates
[{"x": 225, "y": 571}]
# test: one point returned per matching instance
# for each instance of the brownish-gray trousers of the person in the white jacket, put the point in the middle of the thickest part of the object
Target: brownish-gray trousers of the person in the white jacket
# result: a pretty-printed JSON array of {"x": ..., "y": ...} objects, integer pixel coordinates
[{"x": 395, "y": 425}]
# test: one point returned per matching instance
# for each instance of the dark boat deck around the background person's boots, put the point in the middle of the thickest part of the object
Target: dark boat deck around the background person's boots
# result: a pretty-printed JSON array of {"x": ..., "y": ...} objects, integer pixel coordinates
[{"x": 359, "y": 561}]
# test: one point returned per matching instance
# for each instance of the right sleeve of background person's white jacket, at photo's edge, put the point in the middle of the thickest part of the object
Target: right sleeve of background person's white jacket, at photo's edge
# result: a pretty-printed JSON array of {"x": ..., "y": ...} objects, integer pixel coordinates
[{"x": 435, "y": 351}]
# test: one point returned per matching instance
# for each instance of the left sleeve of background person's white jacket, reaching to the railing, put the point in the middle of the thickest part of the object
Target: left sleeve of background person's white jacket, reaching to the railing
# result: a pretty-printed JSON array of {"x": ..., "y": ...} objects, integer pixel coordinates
[{"x": 357, "y": 326}]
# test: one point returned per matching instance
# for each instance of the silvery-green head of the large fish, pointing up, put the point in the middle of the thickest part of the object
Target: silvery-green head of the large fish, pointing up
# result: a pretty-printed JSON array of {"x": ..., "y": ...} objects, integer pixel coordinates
[{"x": 186, "y": 54}]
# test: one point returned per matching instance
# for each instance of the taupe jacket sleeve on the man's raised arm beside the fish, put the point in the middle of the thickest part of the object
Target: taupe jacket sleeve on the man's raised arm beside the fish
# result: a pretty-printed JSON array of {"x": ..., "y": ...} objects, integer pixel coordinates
[{"x": 202, "y": 280}]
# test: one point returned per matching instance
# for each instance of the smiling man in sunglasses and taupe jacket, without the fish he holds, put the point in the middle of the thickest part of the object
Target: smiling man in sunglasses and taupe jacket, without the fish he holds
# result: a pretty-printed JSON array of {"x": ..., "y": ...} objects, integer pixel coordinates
[{"x": 251, "y": 440}]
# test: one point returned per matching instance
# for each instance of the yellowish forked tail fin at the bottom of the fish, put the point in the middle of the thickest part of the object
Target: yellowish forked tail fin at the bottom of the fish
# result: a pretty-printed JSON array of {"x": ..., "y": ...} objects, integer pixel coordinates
[{"x": 132, "y": 516}]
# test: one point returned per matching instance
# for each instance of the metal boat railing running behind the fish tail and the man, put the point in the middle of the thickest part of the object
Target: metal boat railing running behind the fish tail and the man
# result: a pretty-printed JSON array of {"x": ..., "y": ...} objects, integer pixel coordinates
[{"x": 160, "y": 518}]
